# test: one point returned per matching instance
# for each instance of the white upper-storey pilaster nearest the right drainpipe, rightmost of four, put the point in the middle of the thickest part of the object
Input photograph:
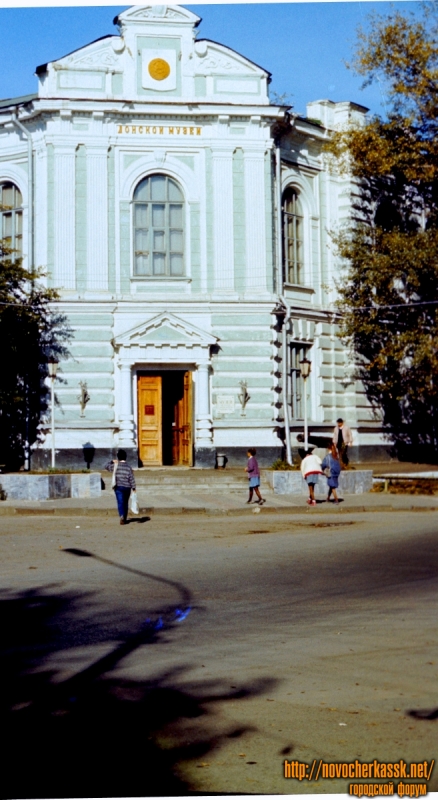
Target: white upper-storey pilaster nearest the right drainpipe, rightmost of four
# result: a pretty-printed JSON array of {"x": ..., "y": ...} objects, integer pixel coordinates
[{"x": 255, "y": 221}]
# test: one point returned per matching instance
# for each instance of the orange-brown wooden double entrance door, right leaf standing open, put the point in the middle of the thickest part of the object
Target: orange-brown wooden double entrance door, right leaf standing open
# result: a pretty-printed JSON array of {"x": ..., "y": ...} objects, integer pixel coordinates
[{"x": 165, "y": 418}]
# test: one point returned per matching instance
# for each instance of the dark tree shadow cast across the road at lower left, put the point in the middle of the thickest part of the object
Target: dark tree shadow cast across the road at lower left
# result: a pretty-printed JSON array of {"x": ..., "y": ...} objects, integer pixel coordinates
[{"x": 96, "y": 733}]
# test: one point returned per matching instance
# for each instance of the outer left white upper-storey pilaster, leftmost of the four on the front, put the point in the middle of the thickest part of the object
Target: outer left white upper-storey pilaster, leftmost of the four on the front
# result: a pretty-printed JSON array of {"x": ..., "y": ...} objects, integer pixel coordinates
[{"x": 64, "y": 222}]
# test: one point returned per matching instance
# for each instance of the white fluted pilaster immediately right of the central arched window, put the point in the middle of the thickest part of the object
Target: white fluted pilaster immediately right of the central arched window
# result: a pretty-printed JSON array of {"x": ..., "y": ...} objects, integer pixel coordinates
[{"x": 223, "y": 220}]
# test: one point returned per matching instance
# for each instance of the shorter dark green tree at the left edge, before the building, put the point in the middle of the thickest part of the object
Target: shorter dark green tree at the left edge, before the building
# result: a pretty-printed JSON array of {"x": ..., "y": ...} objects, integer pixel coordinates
[{"x": 31, "y": 331}]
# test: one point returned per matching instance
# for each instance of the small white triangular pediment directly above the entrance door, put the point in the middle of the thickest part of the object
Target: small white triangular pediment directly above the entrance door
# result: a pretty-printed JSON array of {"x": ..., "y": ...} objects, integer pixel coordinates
[{"x": 163, "y": 329}]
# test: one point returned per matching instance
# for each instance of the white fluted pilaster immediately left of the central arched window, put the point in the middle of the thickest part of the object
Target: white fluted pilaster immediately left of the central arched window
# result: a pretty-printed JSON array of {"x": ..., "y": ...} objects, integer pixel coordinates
[{"x": 97, "y": 219}]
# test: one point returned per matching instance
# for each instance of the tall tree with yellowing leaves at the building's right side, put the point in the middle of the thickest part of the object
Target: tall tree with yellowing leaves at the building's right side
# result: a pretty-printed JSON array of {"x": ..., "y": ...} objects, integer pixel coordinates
[{"x": 389, "y": 291}]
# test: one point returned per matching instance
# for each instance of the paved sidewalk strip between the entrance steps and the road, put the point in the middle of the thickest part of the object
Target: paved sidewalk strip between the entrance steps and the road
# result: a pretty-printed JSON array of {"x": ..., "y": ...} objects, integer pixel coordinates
[{"x": 189, "y": 501}]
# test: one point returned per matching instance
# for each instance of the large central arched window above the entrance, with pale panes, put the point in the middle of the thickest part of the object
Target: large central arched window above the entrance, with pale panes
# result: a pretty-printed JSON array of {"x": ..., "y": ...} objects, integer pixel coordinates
[{"x": 158, "y": 228}]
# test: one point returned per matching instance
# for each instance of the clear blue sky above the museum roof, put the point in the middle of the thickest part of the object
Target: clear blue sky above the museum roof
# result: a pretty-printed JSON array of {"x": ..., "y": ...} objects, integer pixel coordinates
[{"x": 303, "y": 45}]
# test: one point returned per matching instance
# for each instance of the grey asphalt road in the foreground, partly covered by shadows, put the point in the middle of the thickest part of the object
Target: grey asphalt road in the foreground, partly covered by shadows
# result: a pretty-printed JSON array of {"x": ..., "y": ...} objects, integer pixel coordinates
[{"x": 192, "y": 654}]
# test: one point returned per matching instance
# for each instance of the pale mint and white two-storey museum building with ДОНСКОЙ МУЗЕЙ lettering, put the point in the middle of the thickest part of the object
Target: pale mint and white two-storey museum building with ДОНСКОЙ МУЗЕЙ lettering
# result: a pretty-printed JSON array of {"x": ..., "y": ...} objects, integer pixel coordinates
[{"x": 185, "y": 221}]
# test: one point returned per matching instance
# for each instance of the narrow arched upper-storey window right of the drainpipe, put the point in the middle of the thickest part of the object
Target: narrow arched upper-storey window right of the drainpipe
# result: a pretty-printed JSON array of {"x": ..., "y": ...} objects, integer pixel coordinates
[{"x": 293, "y": 255}]
